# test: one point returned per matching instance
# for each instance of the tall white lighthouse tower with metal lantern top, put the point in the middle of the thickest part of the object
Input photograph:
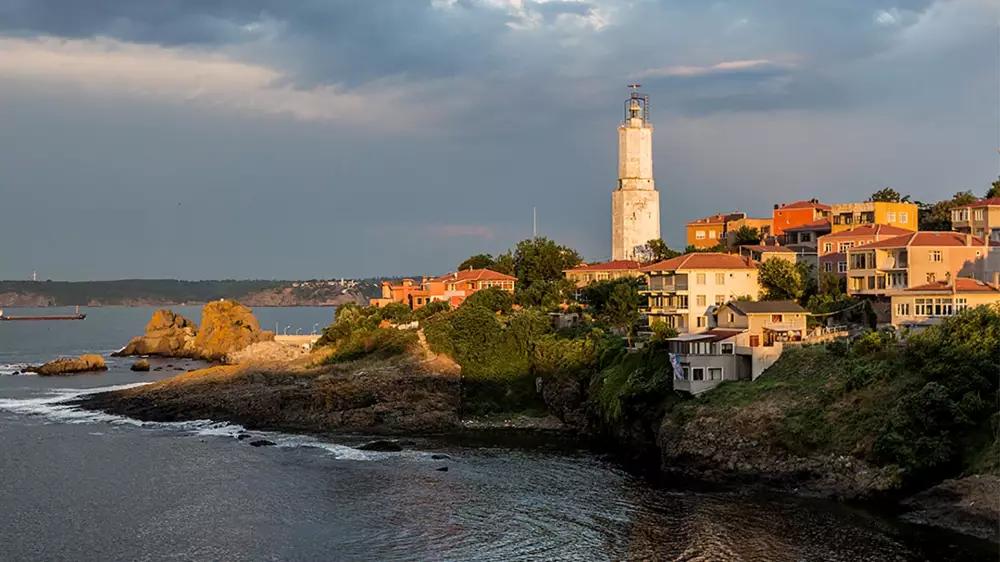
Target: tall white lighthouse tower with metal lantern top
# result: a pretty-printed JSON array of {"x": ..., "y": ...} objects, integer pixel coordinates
[{"x": 635, "y": 204}]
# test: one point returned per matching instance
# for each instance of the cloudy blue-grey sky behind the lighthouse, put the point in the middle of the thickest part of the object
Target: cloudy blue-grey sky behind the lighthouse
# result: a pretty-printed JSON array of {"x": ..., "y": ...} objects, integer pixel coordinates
[{"x": 316, "y": 138}]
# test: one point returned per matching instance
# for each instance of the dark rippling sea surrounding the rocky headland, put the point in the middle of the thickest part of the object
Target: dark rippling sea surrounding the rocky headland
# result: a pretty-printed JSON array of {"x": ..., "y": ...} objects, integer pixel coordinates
[{"x": 79, "y": 485}]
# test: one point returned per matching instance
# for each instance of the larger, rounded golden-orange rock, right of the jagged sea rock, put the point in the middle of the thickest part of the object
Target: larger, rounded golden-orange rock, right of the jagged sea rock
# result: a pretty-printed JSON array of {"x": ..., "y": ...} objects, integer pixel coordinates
[{"x": 227, "y": 327}]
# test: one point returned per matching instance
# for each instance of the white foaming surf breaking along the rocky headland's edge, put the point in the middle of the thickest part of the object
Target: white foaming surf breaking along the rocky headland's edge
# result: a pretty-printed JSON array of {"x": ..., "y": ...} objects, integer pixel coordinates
[{"x": 56, "y": 407}]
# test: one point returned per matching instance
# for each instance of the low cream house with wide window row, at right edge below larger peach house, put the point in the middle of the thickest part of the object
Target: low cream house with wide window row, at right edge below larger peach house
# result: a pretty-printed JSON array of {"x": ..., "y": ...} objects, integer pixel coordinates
[{"x": 928, "y": 304}]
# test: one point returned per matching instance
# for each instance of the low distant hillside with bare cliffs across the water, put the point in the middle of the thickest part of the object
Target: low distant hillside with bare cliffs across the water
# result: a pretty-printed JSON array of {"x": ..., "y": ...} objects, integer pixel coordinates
[{"x": 164, "y": 292}]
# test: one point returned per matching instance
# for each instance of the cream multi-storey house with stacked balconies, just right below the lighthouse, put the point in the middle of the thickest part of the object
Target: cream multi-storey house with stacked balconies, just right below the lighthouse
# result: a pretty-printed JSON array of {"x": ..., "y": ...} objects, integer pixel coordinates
[{"x": 682, "y": 291}]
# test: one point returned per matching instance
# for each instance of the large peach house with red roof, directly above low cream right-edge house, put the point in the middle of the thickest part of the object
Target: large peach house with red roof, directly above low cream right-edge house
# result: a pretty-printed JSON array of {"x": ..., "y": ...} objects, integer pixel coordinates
[{"x": 881, "y": 268}]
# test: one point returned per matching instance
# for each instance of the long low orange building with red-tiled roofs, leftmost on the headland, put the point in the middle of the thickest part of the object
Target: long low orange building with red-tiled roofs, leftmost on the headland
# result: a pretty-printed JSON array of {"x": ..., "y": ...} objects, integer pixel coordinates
[{"x": 452, "y": 288}]
